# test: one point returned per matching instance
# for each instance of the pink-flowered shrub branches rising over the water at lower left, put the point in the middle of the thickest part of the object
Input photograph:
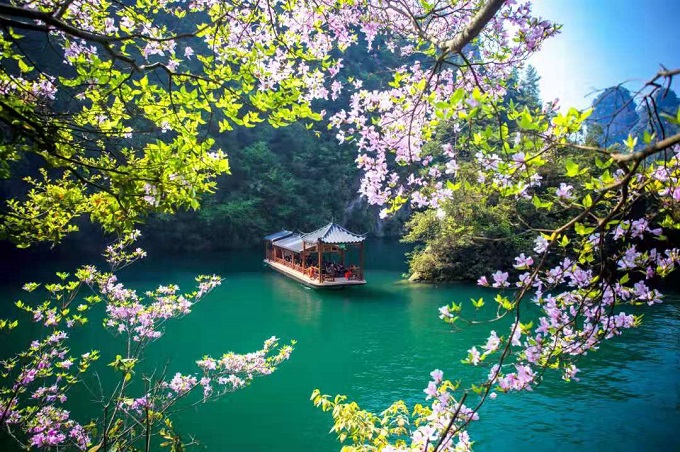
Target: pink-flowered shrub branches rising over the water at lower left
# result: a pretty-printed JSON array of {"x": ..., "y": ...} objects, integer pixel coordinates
[{"x": 33, "y": 401}]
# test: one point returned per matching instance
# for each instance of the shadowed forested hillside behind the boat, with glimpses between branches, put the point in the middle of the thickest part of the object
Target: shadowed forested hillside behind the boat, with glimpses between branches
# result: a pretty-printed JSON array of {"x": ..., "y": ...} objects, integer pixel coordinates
[{"x": 296, "y": 177}]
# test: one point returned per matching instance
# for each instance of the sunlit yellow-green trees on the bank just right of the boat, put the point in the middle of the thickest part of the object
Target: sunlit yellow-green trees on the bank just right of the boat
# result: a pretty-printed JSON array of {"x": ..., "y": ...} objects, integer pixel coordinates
[{"x": 477, "y": 231}]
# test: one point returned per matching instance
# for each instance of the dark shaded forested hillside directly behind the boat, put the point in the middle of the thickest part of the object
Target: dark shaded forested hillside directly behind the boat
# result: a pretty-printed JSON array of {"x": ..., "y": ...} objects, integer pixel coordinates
[{"x": 289, "y": 178}]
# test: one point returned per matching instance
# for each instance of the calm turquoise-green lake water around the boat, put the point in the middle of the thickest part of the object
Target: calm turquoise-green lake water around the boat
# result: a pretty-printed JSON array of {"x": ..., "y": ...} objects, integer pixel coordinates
[{"x": 378, "y": 344}]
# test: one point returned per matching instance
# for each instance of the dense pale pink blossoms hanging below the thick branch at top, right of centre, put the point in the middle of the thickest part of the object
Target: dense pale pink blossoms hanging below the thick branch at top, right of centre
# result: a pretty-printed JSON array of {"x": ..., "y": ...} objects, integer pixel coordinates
[{"x": 390, "y": 126}]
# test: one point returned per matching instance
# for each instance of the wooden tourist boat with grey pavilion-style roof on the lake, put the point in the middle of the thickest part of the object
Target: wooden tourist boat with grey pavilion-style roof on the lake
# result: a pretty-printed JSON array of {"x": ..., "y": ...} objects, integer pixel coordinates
[{"x": 317, "y": 259}]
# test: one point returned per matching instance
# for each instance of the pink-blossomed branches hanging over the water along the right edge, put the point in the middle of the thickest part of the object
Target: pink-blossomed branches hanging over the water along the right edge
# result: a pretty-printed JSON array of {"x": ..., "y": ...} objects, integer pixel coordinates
[{"x": 579, "y": 306}]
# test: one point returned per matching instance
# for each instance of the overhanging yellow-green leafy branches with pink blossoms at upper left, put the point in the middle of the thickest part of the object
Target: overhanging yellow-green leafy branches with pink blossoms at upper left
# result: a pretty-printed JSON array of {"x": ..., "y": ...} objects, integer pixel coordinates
[{"x": 122, "y": 116}]
